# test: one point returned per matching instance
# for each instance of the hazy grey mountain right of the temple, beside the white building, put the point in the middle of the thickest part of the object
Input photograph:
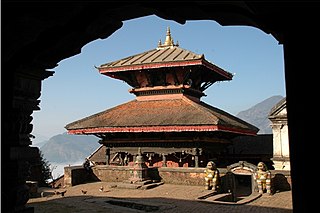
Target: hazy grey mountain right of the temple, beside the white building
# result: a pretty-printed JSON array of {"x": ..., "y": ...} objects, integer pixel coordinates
[{"x": 258, "y": 114}]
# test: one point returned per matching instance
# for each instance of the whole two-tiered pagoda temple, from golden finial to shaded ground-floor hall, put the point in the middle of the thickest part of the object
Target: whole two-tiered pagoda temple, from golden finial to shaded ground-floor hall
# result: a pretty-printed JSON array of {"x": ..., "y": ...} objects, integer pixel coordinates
[{"x": 167, "y": 121}]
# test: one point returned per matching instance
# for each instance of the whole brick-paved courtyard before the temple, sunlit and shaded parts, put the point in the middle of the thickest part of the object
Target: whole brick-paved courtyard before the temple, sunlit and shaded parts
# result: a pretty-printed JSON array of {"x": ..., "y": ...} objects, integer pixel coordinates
[{"x": 166, "y": 198}]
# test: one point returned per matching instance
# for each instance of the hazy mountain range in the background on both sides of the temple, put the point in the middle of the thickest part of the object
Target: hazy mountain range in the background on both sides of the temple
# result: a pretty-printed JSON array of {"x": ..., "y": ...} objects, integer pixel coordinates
[{"x": 64, "y": 148}]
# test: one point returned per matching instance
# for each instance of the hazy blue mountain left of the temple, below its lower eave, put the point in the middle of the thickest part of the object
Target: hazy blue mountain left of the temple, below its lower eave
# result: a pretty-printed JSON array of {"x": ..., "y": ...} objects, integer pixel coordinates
[{"x": 69, "y": 148}]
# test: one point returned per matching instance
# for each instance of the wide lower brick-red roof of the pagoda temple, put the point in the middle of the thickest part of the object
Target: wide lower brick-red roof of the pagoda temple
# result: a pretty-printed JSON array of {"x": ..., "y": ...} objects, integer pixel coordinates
[{"x": 168, "y": 115}]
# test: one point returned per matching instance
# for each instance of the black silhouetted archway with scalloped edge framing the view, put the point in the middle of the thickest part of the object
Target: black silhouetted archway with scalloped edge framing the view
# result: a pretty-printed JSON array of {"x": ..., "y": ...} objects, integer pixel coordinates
[{"x": 37, "y": 35}]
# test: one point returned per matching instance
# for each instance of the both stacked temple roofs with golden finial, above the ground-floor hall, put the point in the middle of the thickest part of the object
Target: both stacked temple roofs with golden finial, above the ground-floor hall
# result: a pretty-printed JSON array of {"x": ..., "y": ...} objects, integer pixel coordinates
[{"x": 170, "y": 104}]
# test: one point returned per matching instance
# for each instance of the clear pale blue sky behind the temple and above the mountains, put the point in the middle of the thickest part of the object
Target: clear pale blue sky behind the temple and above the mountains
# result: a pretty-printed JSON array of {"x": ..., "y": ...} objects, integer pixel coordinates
[{"x": 78, "y": 90}]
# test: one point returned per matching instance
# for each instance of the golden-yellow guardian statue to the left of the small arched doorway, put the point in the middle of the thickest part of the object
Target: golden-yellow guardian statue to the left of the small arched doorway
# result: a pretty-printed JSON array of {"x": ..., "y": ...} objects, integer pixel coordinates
[{"x": 211, "y": 176}]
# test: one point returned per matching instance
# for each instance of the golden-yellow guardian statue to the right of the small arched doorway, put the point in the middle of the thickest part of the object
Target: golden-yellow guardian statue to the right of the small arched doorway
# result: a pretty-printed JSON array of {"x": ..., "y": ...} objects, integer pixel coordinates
[{"x": 263, "y": 178}]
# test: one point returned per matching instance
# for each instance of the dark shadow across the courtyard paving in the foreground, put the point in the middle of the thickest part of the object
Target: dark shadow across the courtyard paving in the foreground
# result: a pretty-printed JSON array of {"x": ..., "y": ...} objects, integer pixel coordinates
[{"x": 87, "y": 203}]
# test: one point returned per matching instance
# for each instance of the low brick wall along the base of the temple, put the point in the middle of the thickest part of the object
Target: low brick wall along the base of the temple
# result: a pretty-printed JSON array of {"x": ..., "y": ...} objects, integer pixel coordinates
[{"x": 74, "y": 175}]
